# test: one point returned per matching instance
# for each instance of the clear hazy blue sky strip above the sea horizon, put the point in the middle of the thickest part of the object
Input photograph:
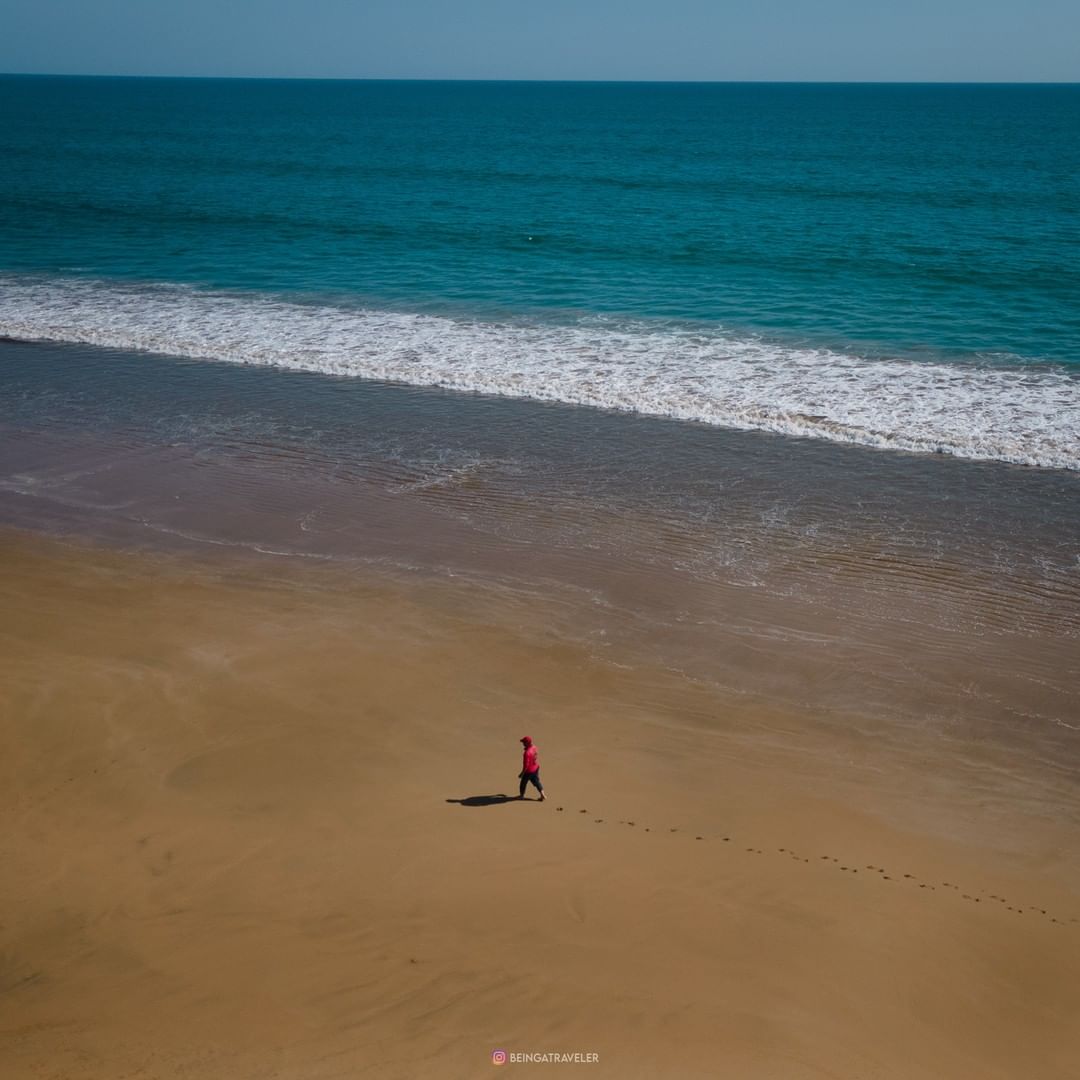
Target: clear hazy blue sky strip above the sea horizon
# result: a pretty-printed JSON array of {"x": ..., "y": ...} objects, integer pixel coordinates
[{"x": 887, "y": 40}]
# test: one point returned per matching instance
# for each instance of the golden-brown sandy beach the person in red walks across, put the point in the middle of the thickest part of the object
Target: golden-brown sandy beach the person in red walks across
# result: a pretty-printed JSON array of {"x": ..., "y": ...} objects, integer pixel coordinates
[{"x": 247, "y": 838}]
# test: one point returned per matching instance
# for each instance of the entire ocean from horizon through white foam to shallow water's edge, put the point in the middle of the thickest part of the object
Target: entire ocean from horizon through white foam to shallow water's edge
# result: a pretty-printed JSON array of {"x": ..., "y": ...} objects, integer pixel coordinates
[{"x": 777, "y": 384}]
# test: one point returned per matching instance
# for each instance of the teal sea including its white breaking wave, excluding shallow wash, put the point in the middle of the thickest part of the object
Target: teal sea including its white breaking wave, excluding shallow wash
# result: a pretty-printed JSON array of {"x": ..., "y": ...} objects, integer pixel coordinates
[{"x": 890, "y": 265}]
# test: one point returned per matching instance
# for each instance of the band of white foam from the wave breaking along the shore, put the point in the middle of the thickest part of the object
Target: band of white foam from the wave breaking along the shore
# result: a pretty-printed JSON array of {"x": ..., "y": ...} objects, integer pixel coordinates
[{"x": 1025, "y": 415}]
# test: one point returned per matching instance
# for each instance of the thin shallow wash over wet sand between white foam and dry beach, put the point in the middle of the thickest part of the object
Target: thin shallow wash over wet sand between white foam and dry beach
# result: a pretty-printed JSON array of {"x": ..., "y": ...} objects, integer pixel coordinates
[{"x": 899, "y": 595}]
